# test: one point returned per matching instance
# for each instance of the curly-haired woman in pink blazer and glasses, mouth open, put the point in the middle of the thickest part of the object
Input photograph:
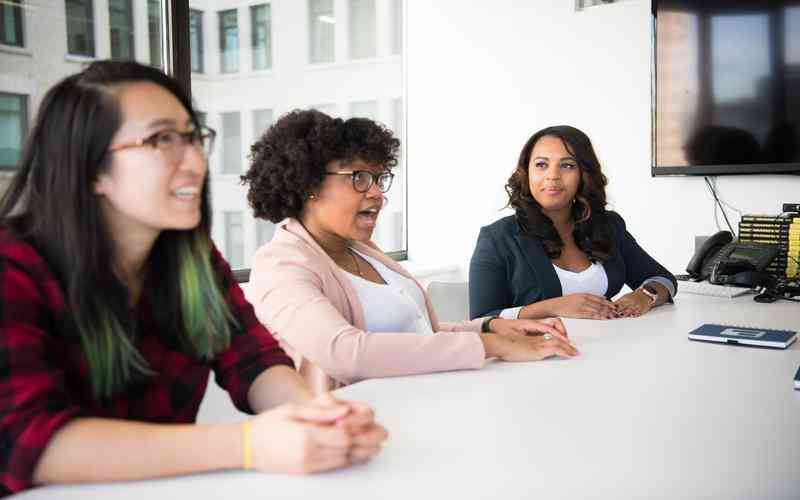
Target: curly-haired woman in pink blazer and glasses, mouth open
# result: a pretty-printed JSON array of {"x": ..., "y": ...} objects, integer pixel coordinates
[{"x": 339, "y": 305}]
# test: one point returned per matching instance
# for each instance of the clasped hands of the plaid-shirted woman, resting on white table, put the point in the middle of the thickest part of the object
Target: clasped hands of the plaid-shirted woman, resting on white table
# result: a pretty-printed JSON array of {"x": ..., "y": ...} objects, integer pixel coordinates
[{"x": 315, "y": 436}]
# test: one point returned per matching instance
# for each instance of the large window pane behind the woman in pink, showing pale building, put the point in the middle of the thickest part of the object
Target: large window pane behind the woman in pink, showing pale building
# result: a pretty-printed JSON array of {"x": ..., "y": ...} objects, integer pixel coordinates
[{"x": 242, "y": 106}]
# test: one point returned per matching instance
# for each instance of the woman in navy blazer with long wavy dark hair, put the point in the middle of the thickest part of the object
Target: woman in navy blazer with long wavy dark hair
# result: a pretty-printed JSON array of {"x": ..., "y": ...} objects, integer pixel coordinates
[{"x": 562, "y": 253}]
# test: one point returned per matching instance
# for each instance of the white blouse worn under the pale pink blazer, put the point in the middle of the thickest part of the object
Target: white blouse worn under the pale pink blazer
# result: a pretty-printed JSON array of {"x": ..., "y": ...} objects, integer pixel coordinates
[{"x": 397, "y": 306}]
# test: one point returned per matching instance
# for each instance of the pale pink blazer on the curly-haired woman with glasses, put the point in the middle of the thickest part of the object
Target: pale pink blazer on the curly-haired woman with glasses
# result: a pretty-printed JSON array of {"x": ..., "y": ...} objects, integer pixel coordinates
[{"x": 309, "y": 303}]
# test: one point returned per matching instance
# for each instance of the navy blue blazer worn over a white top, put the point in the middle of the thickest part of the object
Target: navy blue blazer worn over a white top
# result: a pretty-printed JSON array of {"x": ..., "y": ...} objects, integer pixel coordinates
[{"x": 509, "y": 269}]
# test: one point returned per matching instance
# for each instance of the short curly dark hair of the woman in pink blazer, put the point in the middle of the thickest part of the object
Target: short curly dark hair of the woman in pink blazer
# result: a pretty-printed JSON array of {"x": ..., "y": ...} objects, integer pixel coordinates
[{"x": 288, "y": 162}]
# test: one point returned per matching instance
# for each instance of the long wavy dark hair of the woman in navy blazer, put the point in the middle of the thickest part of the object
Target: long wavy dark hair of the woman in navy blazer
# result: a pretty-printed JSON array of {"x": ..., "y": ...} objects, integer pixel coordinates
[{"x": 591, "y": 231}]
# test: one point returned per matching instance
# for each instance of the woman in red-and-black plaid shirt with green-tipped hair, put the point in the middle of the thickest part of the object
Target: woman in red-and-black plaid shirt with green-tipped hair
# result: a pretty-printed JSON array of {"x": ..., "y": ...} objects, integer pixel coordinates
[{"x": 115, "y": 305}]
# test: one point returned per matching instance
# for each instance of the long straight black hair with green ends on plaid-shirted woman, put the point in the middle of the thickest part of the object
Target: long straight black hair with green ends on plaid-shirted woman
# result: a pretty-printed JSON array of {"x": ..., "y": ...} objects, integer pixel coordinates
[{"x": 51, "y": 203}]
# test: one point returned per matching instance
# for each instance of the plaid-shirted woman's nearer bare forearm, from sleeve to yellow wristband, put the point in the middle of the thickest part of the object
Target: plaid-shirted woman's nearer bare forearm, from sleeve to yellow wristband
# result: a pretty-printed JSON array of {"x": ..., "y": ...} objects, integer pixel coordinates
[{"x": 95, "y": 449}]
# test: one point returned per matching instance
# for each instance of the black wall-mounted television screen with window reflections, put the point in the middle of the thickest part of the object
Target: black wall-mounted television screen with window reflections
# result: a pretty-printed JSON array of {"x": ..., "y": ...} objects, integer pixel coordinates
[{"x": 726, "y": 87}]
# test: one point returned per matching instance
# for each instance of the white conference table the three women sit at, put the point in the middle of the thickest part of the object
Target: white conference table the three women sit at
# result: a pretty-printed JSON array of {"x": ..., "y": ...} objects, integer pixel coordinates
[{"x": 642, "y": 413}]
